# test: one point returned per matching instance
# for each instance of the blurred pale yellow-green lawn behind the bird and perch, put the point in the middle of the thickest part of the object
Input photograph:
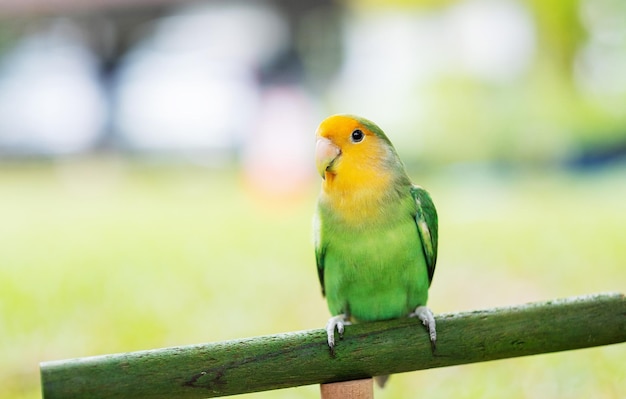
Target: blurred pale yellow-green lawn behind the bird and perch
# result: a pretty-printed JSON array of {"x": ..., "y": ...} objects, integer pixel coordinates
[{"x": 104, "y": 256}]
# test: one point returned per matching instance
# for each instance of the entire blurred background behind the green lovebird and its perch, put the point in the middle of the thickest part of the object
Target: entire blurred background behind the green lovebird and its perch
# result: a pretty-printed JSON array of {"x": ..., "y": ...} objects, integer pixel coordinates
[{"x": 157, "y": 180}]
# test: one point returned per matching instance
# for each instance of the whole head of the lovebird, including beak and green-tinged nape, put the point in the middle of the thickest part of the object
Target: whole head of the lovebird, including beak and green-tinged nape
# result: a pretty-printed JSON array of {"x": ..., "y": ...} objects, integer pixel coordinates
[{"x": 353, "y": 147}]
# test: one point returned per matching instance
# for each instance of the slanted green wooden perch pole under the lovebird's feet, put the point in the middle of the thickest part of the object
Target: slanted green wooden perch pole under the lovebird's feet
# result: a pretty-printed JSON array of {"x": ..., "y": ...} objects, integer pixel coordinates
[{"x": 302, "y": 358}]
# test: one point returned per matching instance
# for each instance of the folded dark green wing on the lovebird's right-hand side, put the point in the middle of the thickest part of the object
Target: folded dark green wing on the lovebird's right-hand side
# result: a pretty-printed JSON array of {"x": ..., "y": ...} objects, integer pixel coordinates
[{"x": 426, "y": 220}]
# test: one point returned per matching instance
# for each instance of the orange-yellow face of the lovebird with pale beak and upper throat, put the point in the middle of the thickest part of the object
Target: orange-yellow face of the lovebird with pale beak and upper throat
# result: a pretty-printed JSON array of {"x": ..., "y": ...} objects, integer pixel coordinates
[{"x": 349, "y": 156}]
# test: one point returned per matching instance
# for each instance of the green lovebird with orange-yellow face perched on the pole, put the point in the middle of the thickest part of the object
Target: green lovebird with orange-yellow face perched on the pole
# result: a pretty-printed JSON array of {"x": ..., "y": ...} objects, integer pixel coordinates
[{"x": 375, "y": 232}]
